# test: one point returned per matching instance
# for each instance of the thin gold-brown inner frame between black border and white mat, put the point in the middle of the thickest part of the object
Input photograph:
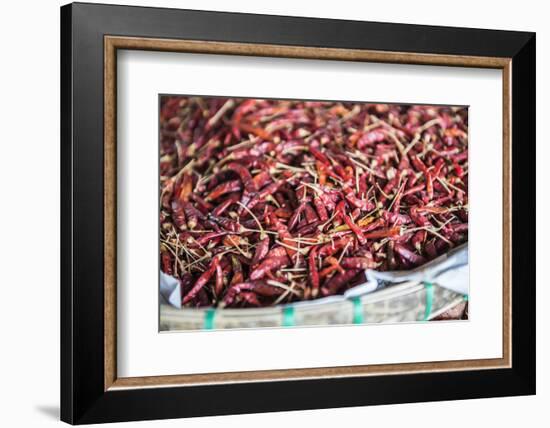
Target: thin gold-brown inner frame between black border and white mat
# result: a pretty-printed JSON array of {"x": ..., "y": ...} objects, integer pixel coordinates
[{"x": 113, "y": 43}]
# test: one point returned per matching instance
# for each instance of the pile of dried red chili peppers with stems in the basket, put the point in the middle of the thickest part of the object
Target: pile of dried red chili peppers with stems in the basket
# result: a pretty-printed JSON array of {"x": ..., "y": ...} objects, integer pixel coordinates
[{"x": 268, "y": 201}]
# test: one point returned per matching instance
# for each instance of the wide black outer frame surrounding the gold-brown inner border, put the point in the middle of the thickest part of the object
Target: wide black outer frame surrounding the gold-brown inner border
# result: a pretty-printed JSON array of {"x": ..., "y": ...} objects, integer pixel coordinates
[{"x": 83, "y": 396}]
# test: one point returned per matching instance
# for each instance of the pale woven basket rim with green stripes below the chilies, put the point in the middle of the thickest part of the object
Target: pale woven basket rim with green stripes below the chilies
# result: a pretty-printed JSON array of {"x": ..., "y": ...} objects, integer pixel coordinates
[{"x": 406, "y": 302}]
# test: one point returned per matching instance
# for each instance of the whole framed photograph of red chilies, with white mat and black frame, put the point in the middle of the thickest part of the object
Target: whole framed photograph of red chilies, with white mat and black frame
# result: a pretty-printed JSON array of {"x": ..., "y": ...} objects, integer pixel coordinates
[{"x": 266, "y": 213}]
